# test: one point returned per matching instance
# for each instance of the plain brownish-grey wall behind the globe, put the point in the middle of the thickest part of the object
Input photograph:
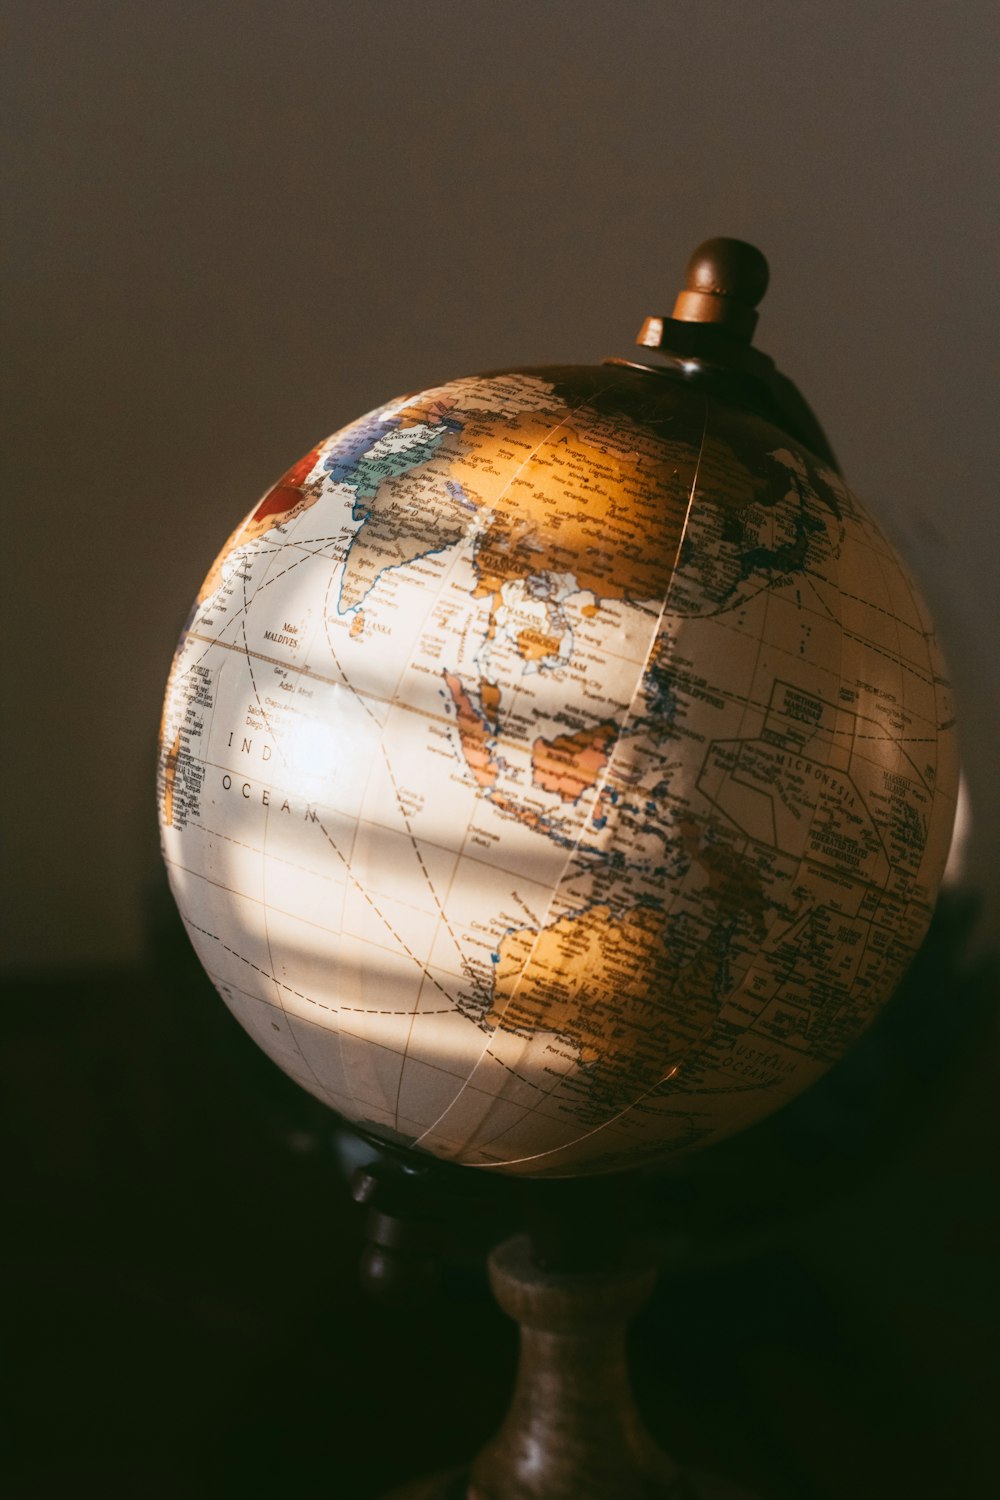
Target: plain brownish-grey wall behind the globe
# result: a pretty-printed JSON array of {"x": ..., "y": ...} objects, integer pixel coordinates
[{"x": 233, "y": 227}]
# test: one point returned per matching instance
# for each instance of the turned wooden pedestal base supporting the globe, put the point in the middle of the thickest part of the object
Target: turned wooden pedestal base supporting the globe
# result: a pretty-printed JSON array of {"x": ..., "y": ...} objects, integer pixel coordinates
[{"x": 572, "y": 1432}]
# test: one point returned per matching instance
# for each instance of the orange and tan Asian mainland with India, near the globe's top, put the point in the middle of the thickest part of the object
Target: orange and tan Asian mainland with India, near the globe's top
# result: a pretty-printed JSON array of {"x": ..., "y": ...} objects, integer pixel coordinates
[{"x": 567, "y": 493}]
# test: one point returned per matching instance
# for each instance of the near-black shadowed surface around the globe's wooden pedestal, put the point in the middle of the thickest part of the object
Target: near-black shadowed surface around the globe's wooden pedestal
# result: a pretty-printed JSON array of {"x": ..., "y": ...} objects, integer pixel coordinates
[{"x": 184, "y": 1313}]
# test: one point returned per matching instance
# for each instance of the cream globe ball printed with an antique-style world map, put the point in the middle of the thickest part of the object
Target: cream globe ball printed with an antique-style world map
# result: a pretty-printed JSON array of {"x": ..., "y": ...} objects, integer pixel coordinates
[{"x": 554, "y": 775}]
